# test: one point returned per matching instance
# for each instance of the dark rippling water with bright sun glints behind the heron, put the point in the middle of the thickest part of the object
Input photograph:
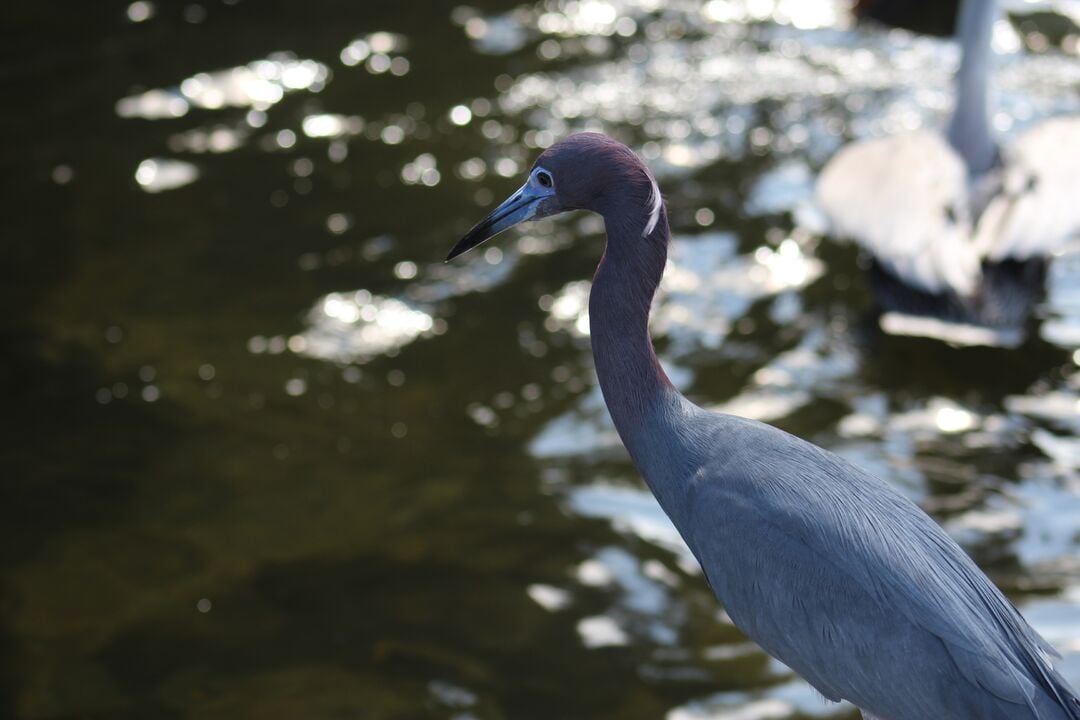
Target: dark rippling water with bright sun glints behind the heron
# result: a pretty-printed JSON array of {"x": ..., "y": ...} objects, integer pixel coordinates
[{"x": 268, "y": 456}]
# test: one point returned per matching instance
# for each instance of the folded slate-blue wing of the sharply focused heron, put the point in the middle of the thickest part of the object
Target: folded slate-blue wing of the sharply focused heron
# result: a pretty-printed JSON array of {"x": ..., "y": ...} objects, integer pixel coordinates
[{"x": 854, "y": 587}]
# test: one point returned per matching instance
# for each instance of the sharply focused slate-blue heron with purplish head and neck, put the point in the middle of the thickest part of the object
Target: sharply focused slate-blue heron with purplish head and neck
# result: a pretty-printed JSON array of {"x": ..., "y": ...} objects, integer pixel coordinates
[{"x": 827, "y": 567}]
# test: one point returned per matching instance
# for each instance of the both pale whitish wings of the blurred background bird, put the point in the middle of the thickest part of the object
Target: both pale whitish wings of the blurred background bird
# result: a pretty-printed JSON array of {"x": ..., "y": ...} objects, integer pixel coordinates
[{"x": 909, "y": 201}]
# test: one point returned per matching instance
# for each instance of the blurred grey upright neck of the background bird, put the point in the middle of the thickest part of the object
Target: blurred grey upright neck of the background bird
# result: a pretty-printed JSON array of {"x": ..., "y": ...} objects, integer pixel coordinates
[{"x": 969, "y": 131}]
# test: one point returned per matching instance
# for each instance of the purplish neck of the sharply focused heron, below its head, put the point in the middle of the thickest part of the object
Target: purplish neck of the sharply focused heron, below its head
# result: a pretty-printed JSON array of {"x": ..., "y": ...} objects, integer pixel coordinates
[{"x": 646, "y": 409}]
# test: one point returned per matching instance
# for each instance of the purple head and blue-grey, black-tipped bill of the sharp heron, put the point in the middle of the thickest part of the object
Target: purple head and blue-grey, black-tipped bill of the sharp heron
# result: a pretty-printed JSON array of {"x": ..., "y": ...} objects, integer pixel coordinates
[{"x": 589, "y": 172}]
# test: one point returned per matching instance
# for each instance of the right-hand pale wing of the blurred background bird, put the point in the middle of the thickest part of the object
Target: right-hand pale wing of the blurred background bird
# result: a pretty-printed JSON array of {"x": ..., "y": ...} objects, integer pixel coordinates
[{"x": 1037, "y": 208}]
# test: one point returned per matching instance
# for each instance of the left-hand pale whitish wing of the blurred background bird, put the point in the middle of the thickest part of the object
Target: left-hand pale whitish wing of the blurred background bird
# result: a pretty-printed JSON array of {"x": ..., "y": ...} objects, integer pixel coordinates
[{"x": 906, "y": 200}]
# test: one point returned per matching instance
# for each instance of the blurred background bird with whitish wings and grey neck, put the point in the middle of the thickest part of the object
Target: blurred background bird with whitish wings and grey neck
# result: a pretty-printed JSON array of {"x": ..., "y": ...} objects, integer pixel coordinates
[{"x": 960, "y": 228}]
